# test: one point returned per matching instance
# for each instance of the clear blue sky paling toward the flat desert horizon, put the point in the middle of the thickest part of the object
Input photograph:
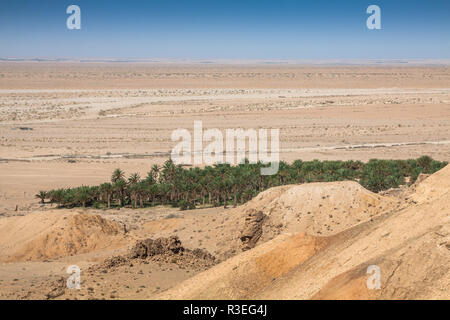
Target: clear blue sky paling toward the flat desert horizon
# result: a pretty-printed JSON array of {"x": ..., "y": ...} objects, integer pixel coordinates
[{"x": 229, "y": 29}]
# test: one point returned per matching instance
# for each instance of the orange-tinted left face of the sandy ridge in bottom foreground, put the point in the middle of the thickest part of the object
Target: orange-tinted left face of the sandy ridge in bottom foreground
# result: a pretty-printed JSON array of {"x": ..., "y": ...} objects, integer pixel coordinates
[{"x": 246, "y": 274}]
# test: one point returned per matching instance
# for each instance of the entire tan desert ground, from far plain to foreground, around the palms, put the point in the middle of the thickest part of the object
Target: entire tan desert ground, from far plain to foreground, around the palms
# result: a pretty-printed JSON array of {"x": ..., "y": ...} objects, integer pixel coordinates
[{"x": 70, "y": 124}]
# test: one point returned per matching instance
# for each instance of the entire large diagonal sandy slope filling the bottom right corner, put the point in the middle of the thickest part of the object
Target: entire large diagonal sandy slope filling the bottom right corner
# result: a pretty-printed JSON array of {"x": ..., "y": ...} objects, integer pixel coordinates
[{"x": 411, "y": 246}]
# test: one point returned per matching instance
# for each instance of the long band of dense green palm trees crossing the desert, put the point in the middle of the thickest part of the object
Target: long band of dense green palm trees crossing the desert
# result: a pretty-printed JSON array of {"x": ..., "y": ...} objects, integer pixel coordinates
[{"x": 223, "y": 184}]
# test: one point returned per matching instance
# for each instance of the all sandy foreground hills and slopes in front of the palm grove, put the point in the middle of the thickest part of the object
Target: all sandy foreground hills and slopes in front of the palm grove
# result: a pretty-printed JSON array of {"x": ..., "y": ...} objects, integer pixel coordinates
[{"x": 310, "y": 241}]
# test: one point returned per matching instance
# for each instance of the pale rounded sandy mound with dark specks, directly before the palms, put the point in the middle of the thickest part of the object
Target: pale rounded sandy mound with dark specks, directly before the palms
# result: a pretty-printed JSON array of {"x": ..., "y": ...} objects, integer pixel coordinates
[{"x": 318, "y": 208}]
